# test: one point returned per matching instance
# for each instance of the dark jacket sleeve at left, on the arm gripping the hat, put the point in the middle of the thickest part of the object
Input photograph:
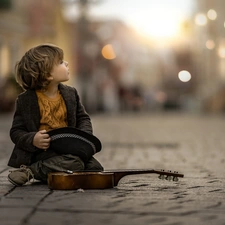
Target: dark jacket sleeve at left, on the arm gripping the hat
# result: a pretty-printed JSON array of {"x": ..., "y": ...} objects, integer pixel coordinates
[{"x": 19, "y": 134}]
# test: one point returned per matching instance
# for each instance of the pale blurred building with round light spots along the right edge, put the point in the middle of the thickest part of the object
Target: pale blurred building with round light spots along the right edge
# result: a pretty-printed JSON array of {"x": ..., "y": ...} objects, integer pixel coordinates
[{"x": 209, "y": 22}]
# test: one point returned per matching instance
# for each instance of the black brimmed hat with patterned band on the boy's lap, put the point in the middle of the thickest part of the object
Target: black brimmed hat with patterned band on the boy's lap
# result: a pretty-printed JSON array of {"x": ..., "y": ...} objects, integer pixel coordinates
[{"x": 70, "y": 140}]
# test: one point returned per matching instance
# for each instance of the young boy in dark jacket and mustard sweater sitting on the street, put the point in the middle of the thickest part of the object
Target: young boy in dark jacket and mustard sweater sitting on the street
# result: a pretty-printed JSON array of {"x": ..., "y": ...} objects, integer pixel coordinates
[{"x": 46, "y": 104}]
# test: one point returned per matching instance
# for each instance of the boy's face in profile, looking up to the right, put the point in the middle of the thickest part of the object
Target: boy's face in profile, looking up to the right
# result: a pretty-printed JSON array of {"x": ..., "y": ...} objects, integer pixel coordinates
[{"x": 60, "y": 72}]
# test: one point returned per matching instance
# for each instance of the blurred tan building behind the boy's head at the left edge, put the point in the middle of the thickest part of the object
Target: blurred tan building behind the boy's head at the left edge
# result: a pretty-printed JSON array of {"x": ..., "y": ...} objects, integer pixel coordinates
[{"x": 24, "y": 24}]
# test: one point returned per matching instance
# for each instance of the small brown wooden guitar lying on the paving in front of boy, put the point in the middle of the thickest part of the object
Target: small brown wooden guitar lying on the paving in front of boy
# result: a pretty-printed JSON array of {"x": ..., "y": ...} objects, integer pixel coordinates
[{"x": 69, "y": 180}]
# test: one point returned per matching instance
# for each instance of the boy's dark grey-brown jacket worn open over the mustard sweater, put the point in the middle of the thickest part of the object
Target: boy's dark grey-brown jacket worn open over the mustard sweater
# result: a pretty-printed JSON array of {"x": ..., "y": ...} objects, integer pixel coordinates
[{"x": 26, "y": 122}]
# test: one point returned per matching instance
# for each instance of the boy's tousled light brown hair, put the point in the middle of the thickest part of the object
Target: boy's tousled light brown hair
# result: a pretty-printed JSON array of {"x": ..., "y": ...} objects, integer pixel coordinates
[{"x": 33, "y": 70}]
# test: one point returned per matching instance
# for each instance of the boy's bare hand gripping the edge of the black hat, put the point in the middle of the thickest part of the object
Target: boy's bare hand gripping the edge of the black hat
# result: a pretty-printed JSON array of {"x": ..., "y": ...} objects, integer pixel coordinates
[{"x": 41, "y": 140}]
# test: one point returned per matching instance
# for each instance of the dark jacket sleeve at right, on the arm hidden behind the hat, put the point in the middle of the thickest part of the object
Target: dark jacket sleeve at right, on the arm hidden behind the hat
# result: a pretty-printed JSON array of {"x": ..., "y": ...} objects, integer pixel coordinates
[{"x": 83, "y": 121}]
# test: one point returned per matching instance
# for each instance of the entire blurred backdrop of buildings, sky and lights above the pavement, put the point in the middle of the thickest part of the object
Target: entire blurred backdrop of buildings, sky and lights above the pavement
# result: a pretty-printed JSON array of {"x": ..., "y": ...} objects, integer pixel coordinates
[{"x": 124, "y": 55}]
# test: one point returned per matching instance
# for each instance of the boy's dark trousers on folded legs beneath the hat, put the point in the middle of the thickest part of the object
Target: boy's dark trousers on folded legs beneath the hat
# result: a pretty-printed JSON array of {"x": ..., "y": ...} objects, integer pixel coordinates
[{"x": 61, "y": 163}]
